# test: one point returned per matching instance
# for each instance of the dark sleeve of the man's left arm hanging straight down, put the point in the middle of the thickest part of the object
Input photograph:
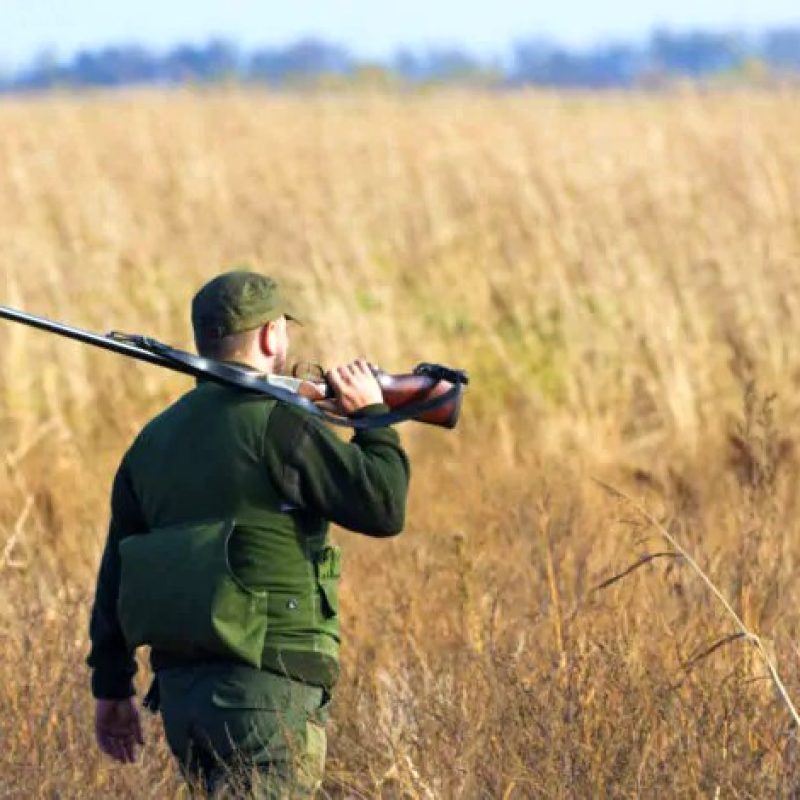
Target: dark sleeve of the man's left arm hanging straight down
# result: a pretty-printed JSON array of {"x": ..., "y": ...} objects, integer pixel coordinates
[{"x": 112, "y": 662}]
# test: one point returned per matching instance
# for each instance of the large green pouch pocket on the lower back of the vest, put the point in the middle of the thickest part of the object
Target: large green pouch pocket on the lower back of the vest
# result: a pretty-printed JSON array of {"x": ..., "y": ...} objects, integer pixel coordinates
[{"x": 179, "y": 594}]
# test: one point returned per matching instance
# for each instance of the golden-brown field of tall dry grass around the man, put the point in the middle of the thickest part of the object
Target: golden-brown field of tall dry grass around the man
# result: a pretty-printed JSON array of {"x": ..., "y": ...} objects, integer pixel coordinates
[{"x": 621, "y": 277}]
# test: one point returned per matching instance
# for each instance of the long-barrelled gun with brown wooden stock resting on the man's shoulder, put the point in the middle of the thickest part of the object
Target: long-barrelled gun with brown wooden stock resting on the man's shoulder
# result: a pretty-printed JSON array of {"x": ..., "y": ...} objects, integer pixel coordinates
[{"x": 430, "y": 393}]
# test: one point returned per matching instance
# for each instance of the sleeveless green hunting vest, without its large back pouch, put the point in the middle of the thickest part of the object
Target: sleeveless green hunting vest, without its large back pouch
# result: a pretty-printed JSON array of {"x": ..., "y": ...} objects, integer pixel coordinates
[{"x": 205, "y": 458}]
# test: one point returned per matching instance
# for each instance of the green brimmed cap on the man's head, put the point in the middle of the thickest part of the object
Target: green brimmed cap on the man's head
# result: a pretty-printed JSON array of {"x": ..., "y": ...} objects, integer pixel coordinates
[{"x": 234, "y": 302}]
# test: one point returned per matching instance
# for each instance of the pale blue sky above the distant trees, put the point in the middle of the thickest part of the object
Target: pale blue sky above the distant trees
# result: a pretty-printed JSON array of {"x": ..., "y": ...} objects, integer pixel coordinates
[{"x": 369, "y": 27}]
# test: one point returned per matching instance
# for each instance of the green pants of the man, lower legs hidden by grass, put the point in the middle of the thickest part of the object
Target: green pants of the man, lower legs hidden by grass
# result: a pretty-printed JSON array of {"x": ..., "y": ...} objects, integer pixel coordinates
[{"x": 238, "y": 732}]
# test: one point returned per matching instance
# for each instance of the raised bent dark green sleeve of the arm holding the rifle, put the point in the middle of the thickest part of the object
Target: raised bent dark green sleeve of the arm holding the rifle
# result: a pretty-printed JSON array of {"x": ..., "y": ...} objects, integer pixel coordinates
[{"x": 361, "y": 485}]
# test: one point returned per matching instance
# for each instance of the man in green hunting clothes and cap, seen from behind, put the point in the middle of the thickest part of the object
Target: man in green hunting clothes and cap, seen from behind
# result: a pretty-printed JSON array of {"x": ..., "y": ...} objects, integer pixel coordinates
[{"x": 220, "y": 453}]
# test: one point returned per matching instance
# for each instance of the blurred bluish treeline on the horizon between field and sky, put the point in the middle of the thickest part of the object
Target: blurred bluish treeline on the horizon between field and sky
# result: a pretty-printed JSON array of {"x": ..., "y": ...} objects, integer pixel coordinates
[{"x": 664, "y": 56}]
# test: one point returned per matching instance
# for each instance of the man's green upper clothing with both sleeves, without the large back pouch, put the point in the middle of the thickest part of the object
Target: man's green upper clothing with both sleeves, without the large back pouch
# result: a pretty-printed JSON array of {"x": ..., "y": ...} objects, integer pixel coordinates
[{"x": 220, "y": 453}]
